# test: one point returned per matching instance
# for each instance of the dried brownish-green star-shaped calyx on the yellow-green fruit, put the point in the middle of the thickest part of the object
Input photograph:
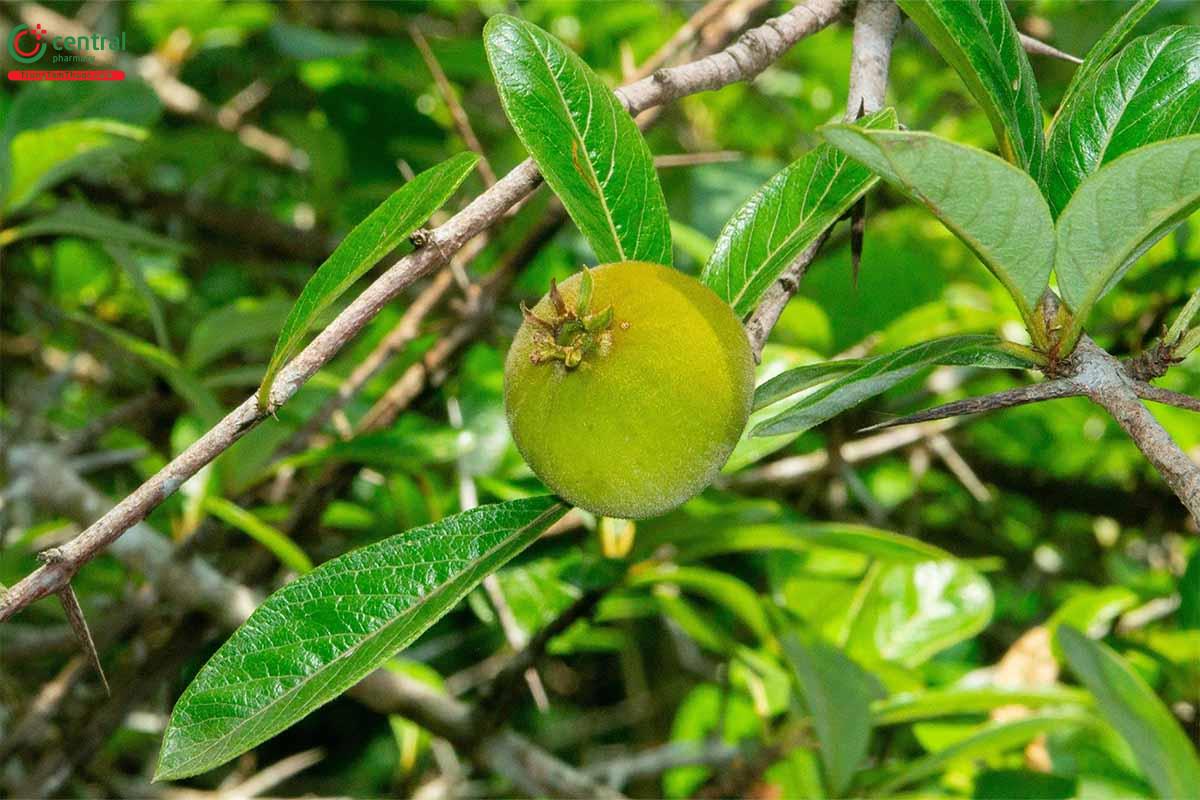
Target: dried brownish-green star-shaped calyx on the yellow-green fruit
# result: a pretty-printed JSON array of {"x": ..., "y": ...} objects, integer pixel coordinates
[{"x": 573, "y": 334}]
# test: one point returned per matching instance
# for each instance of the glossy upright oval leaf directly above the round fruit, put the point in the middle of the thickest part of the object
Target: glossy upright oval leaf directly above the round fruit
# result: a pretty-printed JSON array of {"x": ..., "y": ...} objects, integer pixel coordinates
[{"x": 586, "y": 145}]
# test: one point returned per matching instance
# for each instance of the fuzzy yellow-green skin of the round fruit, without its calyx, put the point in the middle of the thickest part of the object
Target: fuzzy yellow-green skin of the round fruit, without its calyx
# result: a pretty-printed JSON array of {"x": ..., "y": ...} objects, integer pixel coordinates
[{"x": 643, "y": 426}]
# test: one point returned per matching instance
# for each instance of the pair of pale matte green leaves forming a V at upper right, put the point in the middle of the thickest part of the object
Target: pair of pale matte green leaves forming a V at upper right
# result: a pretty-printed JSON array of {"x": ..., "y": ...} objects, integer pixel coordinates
[{"x": 999, "y": 212}]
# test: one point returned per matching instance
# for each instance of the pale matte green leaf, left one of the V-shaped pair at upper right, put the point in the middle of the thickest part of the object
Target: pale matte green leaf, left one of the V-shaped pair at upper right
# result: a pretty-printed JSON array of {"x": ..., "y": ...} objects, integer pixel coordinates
[{"x": 994, "y": 208}]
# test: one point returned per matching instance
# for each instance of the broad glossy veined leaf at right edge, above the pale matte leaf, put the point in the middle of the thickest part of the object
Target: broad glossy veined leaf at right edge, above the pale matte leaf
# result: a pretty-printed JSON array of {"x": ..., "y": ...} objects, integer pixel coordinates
[{"x": 1147, "y": 94}]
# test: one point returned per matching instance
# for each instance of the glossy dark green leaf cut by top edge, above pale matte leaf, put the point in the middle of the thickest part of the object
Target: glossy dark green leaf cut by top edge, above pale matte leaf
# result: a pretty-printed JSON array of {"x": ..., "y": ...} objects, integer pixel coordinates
[{"x": 981, "y": 43}]
